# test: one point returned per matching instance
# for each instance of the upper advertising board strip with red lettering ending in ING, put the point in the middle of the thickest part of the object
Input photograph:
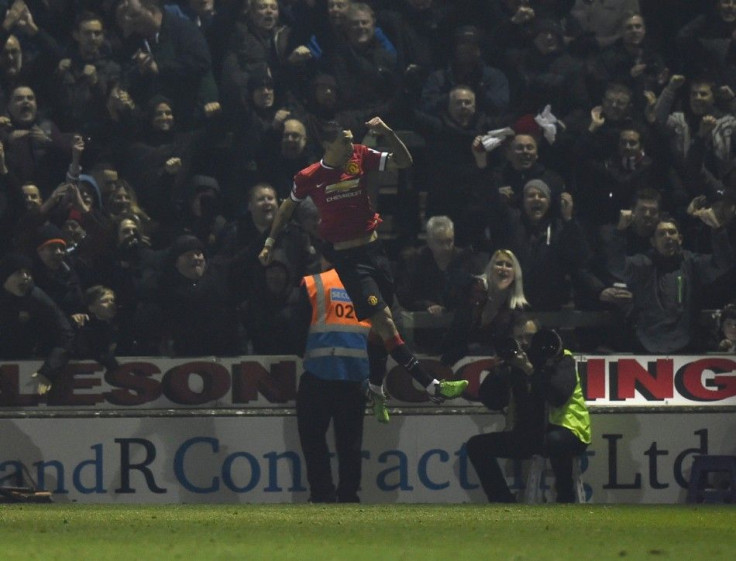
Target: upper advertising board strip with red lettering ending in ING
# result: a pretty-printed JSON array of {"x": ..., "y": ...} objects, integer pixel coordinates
[{"x": 248, "y": 382}]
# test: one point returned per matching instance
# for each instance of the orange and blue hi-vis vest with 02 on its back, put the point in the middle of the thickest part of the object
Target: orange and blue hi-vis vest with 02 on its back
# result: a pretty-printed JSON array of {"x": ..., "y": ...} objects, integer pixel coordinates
[{"x": 337, "y": 340}]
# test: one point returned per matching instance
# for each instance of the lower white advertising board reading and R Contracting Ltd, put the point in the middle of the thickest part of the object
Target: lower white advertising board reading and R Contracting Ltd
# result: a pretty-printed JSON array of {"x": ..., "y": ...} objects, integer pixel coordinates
[{"x": 634, "y": 457}]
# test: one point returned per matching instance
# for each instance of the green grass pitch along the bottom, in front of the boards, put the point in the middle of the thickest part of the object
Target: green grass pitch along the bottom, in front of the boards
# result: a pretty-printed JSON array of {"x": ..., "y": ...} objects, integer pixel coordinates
[{"x": 367, "y": 532}]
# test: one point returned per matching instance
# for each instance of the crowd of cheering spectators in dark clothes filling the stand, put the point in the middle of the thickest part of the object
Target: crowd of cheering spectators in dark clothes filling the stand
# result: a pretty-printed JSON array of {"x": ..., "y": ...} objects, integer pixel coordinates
[{"x": 145, "y": 145}]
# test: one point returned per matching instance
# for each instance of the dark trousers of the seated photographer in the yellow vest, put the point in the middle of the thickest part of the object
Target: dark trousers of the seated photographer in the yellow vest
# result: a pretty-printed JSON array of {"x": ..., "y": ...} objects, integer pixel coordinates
[{"x": 561, "y": 447}]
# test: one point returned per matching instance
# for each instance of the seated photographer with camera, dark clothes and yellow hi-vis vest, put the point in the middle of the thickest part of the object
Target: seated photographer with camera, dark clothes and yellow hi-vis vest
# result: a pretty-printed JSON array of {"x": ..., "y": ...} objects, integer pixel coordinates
[{"x": 536, "y": 381}]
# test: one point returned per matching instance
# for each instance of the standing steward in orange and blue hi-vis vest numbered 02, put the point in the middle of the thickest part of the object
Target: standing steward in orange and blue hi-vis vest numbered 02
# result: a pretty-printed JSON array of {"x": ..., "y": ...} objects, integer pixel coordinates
[{"x": 332, "y": 389}]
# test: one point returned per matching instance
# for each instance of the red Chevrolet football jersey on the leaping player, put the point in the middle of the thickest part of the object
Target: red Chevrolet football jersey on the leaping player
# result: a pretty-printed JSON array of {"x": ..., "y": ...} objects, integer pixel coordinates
[{"x": 341, "y": 195}]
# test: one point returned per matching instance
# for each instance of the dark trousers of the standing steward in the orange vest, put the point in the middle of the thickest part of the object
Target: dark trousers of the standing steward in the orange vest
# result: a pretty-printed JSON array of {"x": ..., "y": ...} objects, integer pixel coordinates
[{"x": 317, "y": 403}]
